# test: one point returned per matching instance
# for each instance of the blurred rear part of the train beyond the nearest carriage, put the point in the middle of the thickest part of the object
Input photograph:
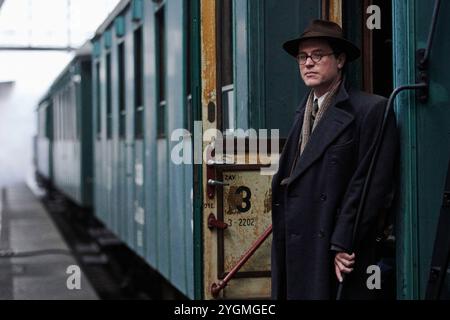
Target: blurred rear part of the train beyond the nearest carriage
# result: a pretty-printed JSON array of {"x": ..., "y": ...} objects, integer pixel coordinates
[{"x": 65, "y": 137}]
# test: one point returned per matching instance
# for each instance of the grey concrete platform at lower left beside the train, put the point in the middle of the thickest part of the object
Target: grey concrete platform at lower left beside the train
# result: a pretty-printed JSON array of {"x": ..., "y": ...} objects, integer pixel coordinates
[{"x": 25, "y": 227}]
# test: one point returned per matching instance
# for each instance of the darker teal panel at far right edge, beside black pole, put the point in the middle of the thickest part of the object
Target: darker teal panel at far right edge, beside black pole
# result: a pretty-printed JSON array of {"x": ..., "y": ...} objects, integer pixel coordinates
[{"x": 433, "y": 123}]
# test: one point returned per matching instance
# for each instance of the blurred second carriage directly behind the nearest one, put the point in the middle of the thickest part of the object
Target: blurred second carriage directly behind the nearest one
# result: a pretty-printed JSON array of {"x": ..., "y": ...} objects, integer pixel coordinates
[{"x": 72, "y": 154}]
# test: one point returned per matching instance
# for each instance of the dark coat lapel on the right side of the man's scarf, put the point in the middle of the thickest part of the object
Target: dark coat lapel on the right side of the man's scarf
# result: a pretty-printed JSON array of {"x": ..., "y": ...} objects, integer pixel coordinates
[{"x": 332, "y": 124}]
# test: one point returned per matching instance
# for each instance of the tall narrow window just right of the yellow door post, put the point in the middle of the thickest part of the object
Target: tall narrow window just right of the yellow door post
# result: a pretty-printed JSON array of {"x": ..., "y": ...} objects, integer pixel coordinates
[{"x": 225, "y": 60}]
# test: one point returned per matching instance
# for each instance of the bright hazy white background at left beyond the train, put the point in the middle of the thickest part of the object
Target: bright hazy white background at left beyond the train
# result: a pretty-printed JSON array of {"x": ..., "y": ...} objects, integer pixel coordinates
[{"x": 37, "y": 40}]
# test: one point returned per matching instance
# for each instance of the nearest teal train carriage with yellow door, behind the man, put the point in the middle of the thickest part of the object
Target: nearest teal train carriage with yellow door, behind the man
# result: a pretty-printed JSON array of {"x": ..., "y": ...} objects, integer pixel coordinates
[{"x": 161, "y": 65}]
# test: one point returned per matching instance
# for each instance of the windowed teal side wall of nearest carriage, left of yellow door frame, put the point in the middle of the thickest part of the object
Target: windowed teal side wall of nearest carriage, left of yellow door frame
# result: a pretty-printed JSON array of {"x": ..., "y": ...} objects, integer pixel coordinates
[{"x": 140, "y": 195}]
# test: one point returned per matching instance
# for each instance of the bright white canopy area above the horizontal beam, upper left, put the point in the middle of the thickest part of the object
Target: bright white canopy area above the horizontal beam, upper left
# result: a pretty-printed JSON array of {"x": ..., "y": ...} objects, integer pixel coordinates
[{"x": 50, "y": 24}]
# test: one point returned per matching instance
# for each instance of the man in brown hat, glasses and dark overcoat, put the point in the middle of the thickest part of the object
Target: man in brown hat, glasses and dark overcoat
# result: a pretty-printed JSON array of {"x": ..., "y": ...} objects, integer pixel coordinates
[{"x": 323, "y": 166}]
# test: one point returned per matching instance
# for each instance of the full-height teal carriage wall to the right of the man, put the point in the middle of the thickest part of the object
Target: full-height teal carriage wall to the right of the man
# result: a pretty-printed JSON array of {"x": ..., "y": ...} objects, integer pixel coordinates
[{"x": 425, "y": 142}]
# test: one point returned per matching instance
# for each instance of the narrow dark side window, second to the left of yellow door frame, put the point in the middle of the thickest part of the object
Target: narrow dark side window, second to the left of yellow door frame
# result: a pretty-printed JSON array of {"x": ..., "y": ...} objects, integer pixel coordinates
[{"x": 138, "y": 84}]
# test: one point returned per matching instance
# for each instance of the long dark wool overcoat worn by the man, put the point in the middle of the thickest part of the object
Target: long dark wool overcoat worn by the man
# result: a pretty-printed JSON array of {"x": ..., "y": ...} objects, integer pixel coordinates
[{"x": 317, "y": 208}]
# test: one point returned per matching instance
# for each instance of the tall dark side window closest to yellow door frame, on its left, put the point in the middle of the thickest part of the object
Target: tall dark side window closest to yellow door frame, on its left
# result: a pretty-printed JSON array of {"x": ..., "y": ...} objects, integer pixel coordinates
[{"x": 161, "y": 67}]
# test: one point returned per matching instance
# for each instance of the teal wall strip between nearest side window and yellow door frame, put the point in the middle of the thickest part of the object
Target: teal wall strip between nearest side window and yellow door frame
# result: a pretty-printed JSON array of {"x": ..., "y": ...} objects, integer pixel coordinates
[{"x": 177, "y": 194}]
